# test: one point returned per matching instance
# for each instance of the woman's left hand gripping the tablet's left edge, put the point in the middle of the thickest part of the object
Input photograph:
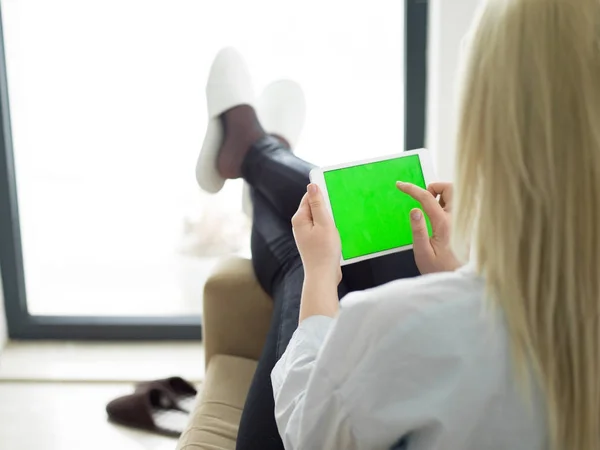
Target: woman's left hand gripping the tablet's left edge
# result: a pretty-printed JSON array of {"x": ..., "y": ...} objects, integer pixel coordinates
[{"x": 317, "y": 238}]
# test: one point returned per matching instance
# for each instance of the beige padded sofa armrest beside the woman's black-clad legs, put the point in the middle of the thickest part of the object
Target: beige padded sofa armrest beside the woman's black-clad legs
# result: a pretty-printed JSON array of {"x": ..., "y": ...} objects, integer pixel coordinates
[{"x": 237, "y": 312}]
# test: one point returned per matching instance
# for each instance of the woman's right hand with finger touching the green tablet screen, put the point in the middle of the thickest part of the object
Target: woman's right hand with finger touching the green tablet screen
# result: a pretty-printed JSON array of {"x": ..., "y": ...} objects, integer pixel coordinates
[{"x": 432, "y": 254}]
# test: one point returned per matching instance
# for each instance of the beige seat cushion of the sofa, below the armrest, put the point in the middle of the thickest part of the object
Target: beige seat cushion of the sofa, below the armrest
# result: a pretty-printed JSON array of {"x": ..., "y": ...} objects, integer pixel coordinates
[{"x": 216, "y": 417}]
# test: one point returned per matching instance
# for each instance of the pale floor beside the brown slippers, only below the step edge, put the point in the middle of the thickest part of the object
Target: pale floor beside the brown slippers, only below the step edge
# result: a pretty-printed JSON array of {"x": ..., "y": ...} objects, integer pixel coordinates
[{"x": 67, "y": 416}]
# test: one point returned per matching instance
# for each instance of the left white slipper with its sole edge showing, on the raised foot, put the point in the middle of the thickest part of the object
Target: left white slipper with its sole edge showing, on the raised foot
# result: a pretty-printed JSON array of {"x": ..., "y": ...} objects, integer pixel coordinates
[{"x": 229, "y": 85}]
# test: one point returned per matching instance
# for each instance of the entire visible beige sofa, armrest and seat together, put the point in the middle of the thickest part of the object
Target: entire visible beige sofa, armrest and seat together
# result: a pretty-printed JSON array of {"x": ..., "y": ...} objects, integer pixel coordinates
[{"x": 236, "y": 319}]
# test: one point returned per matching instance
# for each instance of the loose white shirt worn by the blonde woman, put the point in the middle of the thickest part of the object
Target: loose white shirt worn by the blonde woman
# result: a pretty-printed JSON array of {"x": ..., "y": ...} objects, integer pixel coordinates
[{"x": 416, "y": 364}]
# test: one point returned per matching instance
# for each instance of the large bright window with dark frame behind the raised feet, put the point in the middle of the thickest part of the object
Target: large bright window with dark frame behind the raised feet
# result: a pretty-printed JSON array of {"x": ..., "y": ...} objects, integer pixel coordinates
[{"x": 108, "y": 114}]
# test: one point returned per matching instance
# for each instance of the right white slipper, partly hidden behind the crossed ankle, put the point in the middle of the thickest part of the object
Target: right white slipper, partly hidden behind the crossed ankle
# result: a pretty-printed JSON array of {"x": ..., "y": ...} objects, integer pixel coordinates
[{"x": 281, "y": 110}]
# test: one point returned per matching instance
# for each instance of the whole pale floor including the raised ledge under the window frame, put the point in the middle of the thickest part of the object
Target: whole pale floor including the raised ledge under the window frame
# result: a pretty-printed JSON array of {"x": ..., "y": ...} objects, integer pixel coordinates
[{"x": 53, "y": 394}]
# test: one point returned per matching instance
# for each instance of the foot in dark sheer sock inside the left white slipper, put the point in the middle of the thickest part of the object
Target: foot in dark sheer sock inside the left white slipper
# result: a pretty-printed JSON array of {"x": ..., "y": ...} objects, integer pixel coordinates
[{"x": 241, "y": 129}]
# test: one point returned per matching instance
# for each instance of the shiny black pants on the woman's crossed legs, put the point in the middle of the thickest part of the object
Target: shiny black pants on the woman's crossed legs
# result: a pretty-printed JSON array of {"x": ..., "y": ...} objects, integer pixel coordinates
[{"x": 278, "y": 180}]
